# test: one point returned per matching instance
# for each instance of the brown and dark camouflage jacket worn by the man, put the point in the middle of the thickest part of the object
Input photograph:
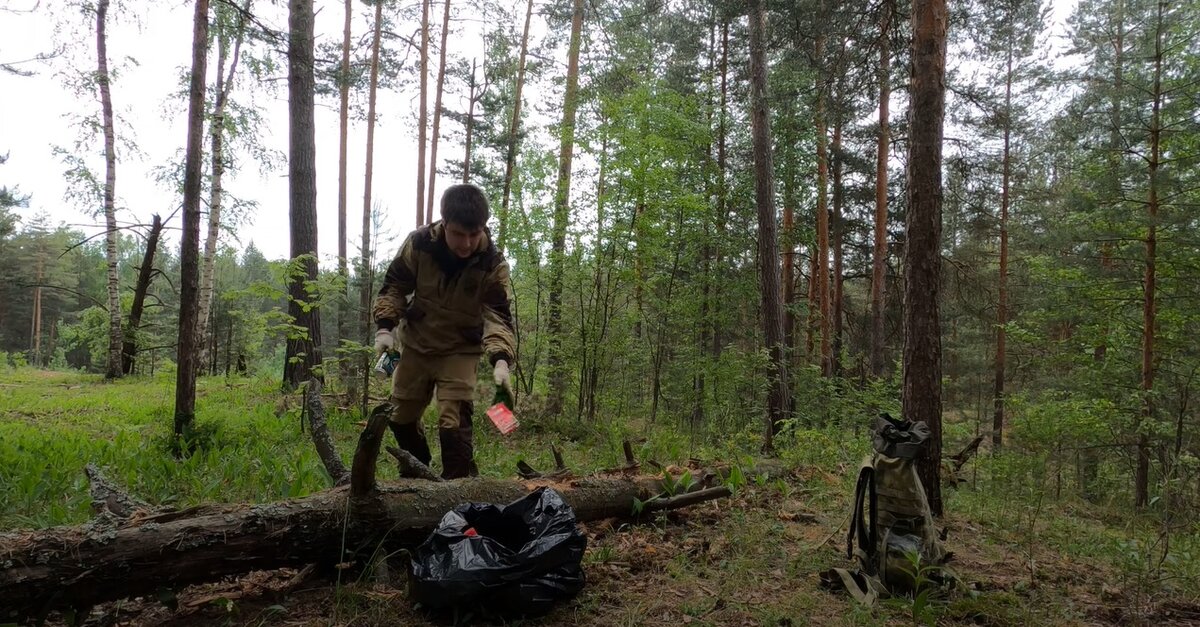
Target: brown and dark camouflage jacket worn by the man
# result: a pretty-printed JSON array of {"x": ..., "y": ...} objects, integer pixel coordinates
[{"x": 457, "y": 307}]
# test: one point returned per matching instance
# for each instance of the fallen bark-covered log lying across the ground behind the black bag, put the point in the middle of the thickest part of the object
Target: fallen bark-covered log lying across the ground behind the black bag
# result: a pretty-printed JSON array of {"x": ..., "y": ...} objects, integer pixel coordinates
[{"x": 106, "y": 559}]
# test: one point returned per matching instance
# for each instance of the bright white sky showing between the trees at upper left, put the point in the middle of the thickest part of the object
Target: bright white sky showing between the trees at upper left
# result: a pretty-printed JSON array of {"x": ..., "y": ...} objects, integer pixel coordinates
[{"x": 33, "y": 120}]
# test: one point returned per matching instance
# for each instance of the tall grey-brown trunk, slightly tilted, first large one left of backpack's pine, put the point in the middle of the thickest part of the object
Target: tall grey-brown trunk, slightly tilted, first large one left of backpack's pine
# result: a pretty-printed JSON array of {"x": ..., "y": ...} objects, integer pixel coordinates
[{"x": 778, "y": 397}]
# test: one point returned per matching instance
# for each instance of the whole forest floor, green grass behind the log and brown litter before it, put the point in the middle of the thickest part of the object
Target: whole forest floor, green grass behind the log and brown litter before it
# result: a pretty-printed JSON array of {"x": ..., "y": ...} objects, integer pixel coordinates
[{"x": 748, "y": 560}]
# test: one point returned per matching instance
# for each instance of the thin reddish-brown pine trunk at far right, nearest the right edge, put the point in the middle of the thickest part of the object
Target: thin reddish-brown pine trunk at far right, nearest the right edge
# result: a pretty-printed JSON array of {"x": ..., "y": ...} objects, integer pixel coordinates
[{"x": 1142, "y": 480}]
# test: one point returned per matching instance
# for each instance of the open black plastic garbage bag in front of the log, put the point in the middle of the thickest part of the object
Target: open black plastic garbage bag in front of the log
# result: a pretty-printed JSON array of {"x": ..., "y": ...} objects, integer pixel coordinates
[{"x": 518, "y": 559}]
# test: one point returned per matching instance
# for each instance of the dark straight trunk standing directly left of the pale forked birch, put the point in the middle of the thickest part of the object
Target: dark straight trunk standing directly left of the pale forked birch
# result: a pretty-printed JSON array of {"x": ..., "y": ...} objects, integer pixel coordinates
[{"x": 190, "y": 247}]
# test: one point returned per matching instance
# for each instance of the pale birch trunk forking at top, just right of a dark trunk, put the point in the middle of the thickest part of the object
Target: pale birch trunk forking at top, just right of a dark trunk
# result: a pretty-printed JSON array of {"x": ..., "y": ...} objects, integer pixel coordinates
[{"x": 217, "y": 136}]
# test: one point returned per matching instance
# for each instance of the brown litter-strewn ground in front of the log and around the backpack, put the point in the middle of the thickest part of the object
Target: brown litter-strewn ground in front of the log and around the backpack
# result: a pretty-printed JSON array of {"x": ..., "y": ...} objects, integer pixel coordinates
[{"x": 752, "y": 560}]
